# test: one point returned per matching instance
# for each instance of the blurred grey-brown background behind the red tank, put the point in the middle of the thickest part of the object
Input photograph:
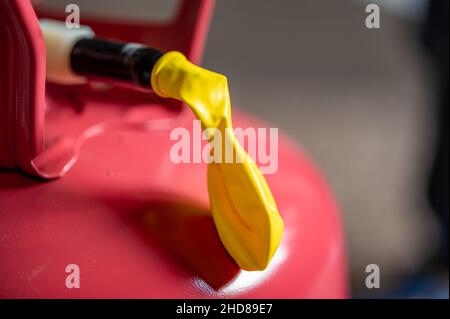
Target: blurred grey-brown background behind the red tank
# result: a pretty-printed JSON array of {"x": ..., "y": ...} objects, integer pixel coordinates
[{"x": 362, "y": 102}]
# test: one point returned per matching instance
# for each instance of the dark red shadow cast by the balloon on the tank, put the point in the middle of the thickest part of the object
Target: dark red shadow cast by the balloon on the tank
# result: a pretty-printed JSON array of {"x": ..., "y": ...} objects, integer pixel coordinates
[{"x": 187, "y": 232}]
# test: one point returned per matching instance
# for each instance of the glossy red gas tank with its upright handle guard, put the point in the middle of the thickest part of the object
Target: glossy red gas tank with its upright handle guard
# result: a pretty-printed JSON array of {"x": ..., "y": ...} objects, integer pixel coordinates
[{"x": 86, "y": 179}]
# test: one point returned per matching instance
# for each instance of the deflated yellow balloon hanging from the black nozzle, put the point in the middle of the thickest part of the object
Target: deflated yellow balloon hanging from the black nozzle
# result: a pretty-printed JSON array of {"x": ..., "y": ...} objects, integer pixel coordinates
[{"x": 243, "y": 208}]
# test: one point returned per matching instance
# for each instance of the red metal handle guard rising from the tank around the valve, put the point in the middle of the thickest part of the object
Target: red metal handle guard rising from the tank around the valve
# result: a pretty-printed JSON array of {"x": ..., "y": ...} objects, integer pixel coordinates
[{"x": 22, "y": 84}]
